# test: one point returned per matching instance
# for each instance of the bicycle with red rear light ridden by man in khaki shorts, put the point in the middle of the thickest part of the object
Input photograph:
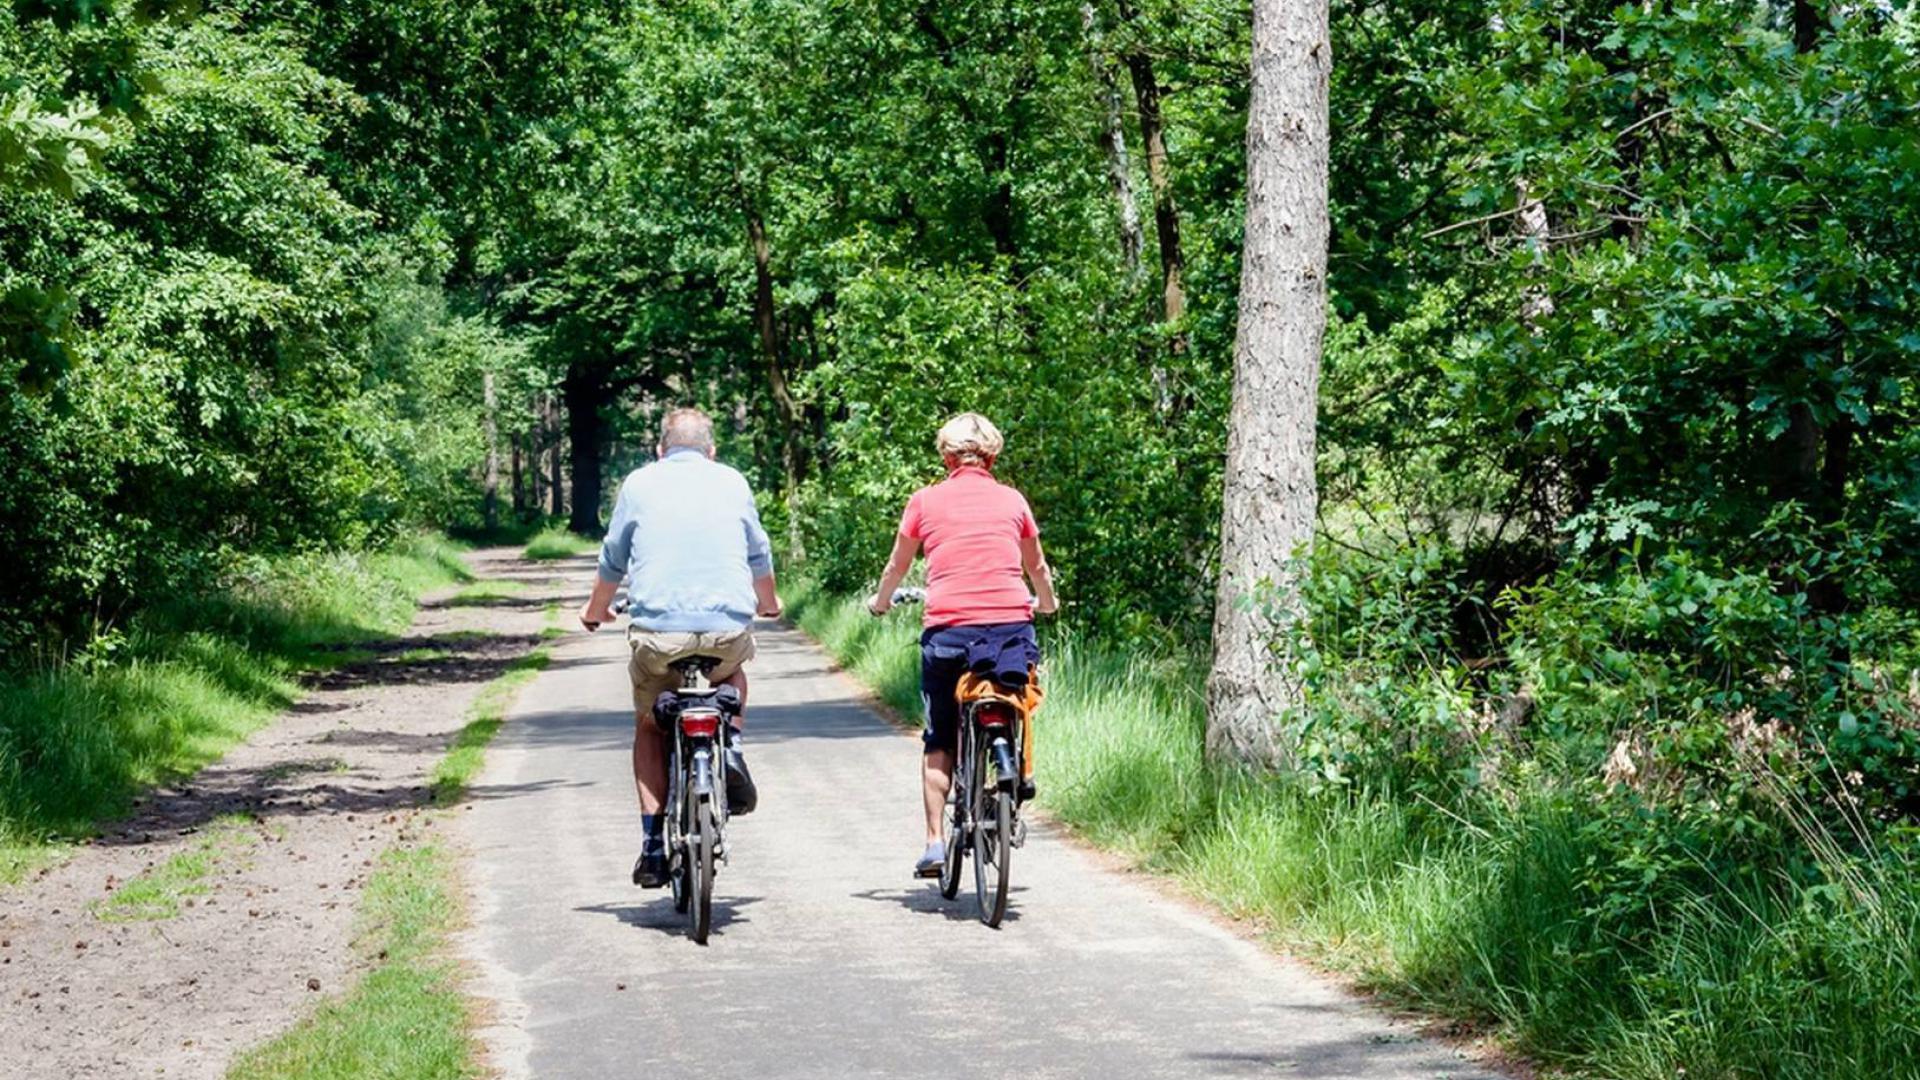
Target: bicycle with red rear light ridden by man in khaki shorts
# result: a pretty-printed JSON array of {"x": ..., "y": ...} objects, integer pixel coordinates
[{"x": 696, "y": 720}]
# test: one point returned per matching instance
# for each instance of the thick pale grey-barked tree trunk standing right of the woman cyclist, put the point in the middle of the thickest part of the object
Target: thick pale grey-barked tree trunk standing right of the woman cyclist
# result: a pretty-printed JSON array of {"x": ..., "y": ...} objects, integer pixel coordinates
[{"x": 1270, "y": 499}]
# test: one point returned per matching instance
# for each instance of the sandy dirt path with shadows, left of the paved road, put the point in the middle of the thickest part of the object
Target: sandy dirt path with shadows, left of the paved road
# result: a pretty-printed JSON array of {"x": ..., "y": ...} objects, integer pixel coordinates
[{"x": 329, "y": 787}]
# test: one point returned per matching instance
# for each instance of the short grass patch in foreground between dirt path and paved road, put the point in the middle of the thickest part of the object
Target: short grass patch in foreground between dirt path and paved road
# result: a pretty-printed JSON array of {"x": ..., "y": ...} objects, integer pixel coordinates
[{"x": 408, "y": 1018}]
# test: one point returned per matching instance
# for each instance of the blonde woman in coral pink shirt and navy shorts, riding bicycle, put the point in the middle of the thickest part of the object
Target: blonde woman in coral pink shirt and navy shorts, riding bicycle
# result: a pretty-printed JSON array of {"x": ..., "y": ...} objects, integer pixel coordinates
[{"x": 982, "y": 543}]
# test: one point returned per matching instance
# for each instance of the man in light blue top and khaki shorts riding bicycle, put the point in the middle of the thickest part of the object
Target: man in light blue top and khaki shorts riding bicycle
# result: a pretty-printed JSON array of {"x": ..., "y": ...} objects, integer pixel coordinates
[{"x": 688, "y": 545}]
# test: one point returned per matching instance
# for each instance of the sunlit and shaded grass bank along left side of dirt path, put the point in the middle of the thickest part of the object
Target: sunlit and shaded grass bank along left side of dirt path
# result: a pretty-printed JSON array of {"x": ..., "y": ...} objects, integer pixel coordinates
[{"x": 181, "y": 685}]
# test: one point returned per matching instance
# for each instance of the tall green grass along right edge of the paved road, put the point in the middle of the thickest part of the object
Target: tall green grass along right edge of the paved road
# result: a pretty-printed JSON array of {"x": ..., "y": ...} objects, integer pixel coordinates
[{"x": 1476, "y": 916}]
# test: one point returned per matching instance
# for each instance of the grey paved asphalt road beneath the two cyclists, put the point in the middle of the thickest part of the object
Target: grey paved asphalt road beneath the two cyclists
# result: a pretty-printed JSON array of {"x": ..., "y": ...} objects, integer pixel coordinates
[{"x": 827, "y": 958}]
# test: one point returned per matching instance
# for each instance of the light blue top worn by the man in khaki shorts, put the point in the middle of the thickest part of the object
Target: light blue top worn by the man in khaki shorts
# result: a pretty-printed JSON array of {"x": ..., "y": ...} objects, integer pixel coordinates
[{"x": 686, "y": 539}]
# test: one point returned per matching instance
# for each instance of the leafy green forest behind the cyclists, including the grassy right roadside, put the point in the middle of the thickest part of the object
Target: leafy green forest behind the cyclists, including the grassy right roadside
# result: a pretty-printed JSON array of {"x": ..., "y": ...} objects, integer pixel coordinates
[{"x": 1606, "y": 649}]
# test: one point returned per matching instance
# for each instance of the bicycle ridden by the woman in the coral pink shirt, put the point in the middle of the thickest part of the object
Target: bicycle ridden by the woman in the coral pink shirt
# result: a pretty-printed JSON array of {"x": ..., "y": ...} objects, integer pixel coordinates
[{"x": 984, "y": 798}]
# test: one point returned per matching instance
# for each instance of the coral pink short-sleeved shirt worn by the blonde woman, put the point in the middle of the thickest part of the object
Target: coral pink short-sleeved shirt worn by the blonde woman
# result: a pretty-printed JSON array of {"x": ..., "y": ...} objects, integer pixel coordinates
[{"x": 972, "y": 528}]
